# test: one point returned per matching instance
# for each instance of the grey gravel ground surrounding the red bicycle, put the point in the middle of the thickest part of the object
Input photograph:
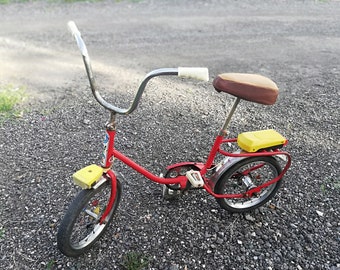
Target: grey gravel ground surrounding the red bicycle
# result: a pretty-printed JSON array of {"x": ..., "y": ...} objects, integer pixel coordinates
[{"x": 296, "y": 43}]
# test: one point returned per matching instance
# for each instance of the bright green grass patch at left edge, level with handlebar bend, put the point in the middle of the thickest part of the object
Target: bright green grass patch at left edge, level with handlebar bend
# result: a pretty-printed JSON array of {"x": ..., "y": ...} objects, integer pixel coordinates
[{"x": 10, "y": 97}]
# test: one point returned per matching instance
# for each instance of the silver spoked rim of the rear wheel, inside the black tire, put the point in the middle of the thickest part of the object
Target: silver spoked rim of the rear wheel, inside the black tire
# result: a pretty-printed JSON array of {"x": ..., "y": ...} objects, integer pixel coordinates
[{"x": 258, "y": 172}]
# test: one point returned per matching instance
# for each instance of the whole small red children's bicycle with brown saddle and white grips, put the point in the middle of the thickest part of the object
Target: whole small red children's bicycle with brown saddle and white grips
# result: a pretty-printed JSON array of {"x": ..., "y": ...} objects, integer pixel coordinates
[{"x": 240, "y": 181}]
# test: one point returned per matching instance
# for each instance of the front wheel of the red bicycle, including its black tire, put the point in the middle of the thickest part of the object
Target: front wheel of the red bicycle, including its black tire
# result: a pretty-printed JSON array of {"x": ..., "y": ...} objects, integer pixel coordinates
[{"x": 81, "y": 228}]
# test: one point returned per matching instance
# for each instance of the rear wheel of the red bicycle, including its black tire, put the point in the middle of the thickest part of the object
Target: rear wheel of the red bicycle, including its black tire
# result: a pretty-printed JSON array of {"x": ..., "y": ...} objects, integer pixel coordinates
[{"x": 231, "y": 182}]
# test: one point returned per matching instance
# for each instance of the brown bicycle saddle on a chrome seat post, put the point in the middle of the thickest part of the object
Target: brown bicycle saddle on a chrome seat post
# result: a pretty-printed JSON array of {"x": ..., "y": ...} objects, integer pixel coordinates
[{"x": 251, "y": 87}]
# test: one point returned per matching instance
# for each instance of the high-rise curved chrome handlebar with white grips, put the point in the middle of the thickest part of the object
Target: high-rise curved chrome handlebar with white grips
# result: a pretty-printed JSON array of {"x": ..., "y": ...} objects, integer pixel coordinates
[{"x": 188, "y": 72}]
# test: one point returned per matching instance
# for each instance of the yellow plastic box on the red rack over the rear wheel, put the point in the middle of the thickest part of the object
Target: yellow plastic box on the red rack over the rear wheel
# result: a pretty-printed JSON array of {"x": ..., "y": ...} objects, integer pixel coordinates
[{"x": 254, "y": 141}]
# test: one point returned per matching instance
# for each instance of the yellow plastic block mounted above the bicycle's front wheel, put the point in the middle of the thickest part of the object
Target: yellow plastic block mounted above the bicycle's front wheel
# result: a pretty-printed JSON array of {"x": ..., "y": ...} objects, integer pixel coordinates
[{"x": 86, "y": 177}]
